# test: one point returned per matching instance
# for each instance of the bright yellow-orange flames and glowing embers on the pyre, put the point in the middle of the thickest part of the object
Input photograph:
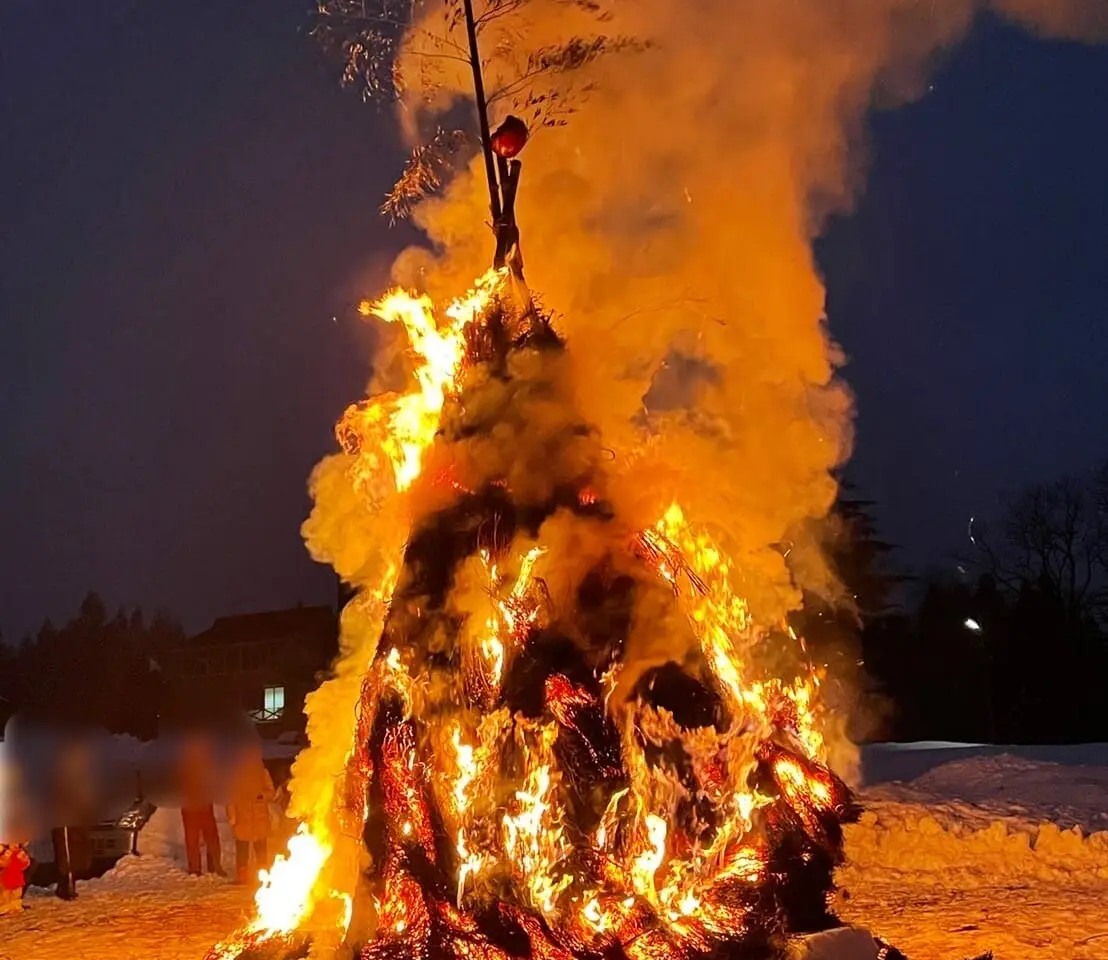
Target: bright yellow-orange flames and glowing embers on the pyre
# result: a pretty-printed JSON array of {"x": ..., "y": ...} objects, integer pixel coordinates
[{"x": 653, "y": 880}]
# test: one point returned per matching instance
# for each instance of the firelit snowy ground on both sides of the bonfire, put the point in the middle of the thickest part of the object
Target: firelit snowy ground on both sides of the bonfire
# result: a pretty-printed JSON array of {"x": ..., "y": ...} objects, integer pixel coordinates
[{"x": 963, "y": 850}]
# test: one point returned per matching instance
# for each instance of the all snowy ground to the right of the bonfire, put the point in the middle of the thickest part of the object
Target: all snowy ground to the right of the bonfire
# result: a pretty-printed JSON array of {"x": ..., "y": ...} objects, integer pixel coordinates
[{"x": 993, "y": 851}]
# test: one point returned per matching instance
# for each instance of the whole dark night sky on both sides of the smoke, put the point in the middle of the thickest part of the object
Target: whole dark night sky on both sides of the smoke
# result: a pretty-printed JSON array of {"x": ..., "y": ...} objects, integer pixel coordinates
[{"x": 189, "y": 200}]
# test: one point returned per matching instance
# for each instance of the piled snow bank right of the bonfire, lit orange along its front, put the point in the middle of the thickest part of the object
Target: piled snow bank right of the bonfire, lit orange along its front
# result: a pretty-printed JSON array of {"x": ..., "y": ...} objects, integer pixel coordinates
[{"x": 988, "y": 818}]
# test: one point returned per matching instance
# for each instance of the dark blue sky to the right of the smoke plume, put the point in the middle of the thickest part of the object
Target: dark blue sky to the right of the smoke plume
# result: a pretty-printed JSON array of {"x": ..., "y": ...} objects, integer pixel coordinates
[{"x": 970, "y": 288}]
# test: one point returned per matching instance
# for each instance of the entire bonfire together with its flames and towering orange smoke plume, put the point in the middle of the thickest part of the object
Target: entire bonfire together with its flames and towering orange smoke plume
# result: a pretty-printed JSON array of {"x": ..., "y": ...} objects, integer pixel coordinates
[{"x": 558, "y": 729}]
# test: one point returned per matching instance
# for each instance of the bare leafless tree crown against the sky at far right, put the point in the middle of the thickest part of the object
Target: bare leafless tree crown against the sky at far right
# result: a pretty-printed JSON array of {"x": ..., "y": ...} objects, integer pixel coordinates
[{"x": 1054, "y": 536}]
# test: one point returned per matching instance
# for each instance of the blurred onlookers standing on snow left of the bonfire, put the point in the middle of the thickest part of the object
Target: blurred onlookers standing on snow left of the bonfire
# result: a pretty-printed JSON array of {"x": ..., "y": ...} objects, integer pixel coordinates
[{"x": 63, "y": 798}]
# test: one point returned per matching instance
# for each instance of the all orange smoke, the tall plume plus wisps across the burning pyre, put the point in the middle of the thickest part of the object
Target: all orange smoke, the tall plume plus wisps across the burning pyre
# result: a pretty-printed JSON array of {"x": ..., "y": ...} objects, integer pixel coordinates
[{"x": 669, "y": 226}]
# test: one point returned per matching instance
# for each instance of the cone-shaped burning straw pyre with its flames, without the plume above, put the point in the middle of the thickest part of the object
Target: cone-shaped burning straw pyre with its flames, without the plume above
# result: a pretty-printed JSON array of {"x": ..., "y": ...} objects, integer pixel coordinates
[{"x": 526, "y": 777}]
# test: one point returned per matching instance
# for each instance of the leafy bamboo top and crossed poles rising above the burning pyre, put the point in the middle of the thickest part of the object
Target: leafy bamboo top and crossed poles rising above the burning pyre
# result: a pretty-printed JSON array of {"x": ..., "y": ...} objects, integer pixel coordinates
[{"x": 440, "y": 36}]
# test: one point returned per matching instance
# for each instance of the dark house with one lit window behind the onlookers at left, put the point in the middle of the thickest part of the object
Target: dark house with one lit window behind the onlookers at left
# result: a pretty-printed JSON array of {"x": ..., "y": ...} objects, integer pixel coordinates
[{"x": 259, "y": 667}]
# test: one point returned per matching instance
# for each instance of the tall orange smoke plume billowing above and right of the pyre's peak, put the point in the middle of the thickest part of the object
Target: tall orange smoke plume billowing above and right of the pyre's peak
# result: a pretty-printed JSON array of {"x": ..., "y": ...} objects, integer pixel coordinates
[{"x": 673, "y": 216}]
